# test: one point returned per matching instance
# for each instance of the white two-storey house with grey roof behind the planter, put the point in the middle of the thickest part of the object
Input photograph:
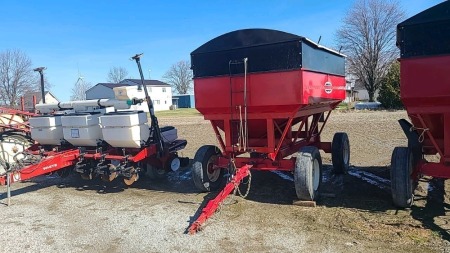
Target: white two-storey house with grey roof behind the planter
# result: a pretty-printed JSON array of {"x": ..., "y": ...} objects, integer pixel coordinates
[{"x": 160, "y": 93}]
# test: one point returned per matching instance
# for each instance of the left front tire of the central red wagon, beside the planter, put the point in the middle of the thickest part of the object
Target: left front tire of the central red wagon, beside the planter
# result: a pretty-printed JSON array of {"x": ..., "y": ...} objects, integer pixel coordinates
[{"x": 199, "y": 168}]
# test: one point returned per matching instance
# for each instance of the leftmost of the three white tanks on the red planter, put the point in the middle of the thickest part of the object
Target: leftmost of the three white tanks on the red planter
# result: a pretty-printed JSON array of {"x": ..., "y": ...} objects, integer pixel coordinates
[{"x": 47, "y": 129}]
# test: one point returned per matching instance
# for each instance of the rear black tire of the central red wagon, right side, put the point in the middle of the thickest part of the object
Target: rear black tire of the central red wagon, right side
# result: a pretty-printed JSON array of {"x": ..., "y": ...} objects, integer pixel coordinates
[{"x": 340, "y": 153}]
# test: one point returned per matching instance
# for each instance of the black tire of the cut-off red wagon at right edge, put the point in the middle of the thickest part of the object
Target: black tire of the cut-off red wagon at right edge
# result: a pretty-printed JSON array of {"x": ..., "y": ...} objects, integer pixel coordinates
[{"x": 402, "y": 185}]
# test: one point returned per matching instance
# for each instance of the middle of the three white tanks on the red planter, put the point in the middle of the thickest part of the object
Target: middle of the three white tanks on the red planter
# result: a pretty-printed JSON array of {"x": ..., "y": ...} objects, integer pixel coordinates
[{"x": 82, "y": 129}]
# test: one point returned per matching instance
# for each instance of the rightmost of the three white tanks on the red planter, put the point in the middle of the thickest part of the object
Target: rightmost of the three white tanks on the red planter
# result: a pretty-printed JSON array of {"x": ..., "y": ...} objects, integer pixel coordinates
[{"x": 125, "y": 129}]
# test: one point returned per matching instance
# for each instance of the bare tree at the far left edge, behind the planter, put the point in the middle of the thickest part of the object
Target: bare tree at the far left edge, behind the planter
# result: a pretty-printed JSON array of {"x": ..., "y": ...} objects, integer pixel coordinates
[{"x": 16, "y": 76}]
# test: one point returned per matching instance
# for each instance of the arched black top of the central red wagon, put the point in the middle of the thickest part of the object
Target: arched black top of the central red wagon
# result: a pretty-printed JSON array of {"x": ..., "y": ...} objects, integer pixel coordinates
[{"x": 266, "y": 50}]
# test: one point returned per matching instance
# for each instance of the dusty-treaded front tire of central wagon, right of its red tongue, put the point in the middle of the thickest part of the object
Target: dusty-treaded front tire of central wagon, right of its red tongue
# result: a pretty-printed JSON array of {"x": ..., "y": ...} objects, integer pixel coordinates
[{"x": 305, "y": 174}]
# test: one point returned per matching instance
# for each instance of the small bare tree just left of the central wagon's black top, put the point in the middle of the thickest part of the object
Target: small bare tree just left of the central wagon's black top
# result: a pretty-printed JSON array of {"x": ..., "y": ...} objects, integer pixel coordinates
[{"x": 179, "y": 76}]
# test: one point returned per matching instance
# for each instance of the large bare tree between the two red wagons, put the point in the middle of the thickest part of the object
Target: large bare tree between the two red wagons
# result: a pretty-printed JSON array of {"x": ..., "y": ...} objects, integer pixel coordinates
[{"x": 367, "y": 37}]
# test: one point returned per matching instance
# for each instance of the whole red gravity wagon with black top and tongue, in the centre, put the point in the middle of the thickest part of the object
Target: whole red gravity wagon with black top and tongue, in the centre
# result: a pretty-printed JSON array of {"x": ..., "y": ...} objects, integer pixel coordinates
[{"x": 268, "y": 95}]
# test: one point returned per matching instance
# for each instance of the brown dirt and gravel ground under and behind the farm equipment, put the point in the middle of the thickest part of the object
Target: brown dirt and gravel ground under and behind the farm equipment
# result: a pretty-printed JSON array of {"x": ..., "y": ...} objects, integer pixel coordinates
[{"x": 356, "y": 214}]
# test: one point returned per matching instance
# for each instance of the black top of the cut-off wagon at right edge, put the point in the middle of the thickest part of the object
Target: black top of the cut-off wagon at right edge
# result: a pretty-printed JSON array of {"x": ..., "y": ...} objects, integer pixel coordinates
[{"x": 426, "y": 33}]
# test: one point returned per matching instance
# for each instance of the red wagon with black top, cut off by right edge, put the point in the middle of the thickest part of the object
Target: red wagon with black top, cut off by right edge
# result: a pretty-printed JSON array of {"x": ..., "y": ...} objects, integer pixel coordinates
[{"x": 424, "y": 42}]
